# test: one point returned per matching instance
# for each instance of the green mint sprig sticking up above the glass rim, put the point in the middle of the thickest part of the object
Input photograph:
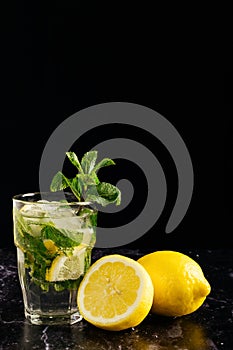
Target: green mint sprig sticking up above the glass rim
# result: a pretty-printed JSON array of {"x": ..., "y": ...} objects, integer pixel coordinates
[{"x": 86, "y": 185}]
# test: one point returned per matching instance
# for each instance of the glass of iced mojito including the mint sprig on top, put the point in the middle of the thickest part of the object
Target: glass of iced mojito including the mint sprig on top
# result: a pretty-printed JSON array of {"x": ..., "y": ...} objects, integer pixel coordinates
[{"x": 54, "y": 233}]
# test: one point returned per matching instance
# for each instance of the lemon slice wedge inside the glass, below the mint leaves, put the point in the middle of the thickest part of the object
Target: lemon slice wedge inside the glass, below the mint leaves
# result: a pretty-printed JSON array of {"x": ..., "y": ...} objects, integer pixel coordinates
[{"x": 69, "y": 267}]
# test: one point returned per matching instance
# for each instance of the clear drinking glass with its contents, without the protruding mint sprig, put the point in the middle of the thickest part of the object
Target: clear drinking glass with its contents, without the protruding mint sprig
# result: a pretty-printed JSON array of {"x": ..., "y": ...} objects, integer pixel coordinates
[{"x": 54, "y": 235}]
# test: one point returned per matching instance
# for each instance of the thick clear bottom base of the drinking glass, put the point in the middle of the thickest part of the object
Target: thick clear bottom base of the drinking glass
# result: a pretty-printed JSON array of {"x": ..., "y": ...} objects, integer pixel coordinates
[{"x": 52, "y": 319}]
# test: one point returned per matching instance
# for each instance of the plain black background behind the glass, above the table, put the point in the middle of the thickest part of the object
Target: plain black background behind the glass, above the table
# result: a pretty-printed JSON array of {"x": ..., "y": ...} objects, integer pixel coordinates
[{"x": 61, "y": 57}]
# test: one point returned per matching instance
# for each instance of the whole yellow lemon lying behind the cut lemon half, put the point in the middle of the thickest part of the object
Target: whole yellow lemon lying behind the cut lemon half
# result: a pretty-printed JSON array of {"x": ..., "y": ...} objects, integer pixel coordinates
[{"x": 180, "y": 286}]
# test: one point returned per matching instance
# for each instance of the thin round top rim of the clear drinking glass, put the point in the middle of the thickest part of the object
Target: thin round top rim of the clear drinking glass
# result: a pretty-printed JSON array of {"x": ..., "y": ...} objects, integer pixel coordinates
[{"x": 42, "y": 201}]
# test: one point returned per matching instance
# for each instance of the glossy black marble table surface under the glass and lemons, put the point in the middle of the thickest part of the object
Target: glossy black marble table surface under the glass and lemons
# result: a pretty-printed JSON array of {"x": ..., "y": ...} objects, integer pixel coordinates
[{"x": 208, "y": 328}]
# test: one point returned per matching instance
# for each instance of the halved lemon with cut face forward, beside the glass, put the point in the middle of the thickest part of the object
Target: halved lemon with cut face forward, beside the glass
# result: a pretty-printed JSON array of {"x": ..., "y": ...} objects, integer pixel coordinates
[{"x": 116, "y": 293}]
